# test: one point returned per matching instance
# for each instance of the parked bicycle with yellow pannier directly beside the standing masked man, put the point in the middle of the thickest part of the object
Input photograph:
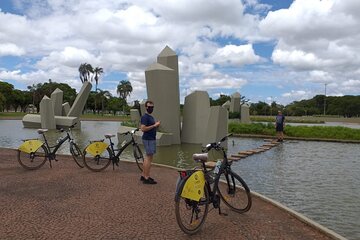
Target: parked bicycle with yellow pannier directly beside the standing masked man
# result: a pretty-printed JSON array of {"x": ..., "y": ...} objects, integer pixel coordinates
[{"x": 98, "y": 155}]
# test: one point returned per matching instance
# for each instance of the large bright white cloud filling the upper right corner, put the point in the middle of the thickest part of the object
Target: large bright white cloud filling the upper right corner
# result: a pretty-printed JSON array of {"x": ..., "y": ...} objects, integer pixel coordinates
[{"x": 315, "y": 36}]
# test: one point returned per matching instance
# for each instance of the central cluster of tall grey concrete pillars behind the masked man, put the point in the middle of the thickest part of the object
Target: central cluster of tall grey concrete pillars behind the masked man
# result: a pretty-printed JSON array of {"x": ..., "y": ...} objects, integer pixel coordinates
[{"x": 201, "y": 124}]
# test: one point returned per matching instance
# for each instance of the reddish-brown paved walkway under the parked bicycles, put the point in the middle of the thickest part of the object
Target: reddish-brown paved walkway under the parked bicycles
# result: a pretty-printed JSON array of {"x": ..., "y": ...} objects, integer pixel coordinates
[{"x": 66, "y": 202}]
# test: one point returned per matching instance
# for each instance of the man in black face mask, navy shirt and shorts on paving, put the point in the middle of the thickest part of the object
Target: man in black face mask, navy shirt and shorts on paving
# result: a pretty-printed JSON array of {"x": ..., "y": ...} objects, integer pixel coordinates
[{"x": 148, "y": 126}]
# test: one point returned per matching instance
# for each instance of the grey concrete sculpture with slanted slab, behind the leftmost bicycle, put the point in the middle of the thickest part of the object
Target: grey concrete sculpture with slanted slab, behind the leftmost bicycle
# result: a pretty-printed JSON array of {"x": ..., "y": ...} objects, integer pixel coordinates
[{"x": 55, "y": 114}]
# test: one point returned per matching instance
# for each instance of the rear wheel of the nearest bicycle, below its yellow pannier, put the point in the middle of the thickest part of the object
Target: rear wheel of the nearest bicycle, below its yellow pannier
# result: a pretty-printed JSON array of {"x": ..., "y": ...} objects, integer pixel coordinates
[{"x": 190, "y": 214}]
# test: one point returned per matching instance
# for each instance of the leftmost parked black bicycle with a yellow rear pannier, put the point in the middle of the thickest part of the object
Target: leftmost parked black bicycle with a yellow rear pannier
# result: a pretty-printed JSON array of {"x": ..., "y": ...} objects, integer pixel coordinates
[{"x": 33, "y": 153}]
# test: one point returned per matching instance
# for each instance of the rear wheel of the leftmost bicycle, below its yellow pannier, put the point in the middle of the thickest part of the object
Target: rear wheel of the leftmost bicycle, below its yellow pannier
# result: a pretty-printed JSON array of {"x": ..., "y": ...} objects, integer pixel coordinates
[{"x": 34, "y": 160}]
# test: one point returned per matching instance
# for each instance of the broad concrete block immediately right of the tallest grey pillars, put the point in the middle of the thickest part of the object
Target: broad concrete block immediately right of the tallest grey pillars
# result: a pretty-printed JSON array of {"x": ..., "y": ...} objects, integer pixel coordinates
[{"x": 195, "y": 117}]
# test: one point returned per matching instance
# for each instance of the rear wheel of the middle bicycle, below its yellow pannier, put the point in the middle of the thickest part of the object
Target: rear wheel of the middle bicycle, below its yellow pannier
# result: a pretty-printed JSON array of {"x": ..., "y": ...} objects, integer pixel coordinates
[{"x": 99, "y": 162}]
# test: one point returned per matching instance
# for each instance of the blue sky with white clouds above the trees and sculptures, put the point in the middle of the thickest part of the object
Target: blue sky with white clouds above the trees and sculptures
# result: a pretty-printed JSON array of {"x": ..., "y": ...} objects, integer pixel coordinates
[{"x": 268, "y": 50}]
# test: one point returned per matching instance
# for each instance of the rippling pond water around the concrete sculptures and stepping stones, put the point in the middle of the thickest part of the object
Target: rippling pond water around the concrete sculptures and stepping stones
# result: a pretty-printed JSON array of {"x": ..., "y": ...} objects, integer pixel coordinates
[{"x": 317, "y": 179}]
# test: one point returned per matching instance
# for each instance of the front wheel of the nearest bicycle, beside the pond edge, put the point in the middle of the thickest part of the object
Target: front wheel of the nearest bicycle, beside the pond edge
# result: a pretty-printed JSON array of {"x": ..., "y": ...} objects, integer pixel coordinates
[{"x": 234, "y": 192}]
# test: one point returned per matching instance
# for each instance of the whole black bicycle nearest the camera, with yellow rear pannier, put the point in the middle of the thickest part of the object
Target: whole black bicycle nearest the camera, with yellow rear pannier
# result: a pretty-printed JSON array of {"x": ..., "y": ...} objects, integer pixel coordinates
[{"x": 200, "y": 187}]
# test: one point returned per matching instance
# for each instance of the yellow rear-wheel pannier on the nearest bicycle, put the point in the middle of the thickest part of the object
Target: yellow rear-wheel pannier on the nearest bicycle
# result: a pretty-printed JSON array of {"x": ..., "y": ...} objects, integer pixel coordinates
[{"x": 194, "y": 186}]
